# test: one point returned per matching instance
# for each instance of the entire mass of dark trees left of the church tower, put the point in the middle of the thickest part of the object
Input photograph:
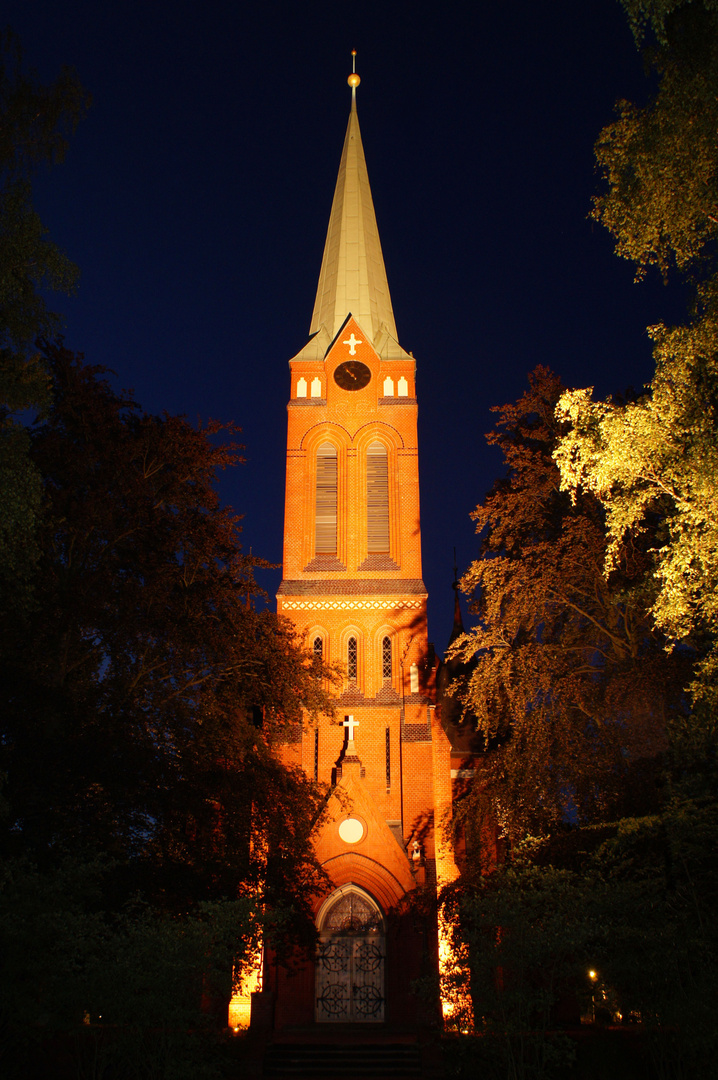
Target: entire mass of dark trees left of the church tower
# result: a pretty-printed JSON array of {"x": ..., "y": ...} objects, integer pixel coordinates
[{"x": 150, "y": 834}]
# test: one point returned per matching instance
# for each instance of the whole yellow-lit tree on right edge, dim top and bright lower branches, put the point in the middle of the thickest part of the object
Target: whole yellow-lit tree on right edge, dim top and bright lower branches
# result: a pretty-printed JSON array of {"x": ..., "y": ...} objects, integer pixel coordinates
[{"x": 658, "y": 456}]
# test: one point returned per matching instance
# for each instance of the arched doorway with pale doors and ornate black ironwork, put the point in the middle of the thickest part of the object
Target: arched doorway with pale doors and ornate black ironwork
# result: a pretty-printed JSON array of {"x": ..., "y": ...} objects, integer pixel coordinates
[{"x": 350, "y": 960}]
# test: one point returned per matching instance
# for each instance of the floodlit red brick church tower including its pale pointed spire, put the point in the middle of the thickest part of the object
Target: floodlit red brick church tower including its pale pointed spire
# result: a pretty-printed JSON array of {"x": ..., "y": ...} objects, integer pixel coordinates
[{"x": 353, "y": 582}]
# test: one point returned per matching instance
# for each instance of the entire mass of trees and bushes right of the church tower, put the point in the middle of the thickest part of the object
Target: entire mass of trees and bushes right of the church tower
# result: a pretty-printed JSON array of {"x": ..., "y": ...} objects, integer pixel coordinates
[{"x": 624, "y": 571}]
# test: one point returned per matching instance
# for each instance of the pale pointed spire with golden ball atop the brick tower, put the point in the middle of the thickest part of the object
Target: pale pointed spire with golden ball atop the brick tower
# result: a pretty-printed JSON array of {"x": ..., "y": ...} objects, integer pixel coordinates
[{"x": 354, "y": 278}]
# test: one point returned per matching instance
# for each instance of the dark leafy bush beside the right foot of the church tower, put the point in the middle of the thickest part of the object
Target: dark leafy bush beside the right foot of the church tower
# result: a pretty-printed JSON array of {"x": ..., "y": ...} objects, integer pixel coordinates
[{"x": 526, "y": 931}]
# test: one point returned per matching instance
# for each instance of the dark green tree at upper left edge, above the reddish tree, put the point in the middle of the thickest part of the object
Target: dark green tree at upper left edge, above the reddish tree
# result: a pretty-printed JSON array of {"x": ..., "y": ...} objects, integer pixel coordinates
[{"x": 36, "y": 121}]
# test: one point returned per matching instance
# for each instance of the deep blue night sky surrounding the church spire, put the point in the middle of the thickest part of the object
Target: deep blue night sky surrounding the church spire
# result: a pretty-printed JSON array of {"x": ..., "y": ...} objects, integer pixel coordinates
[{"x": 197, "y": 194}]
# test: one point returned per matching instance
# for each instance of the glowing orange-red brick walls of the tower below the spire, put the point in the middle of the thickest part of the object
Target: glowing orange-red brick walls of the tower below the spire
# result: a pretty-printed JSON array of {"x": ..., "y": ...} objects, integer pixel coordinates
[{"x": 371, "y": 598}]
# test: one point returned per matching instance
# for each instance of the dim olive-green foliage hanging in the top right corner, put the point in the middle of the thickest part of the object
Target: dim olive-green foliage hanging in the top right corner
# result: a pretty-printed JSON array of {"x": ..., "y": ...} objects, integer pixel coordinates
[{"x": 659, "y": 161}]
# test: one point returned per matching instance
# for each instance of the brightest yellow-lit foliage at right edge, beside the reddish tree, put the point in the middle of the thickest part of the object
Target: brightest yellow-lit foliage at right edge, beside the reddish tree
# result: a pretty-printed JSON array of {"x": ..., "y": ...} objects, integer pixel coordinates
[{"x": 659, "y": 457}]
